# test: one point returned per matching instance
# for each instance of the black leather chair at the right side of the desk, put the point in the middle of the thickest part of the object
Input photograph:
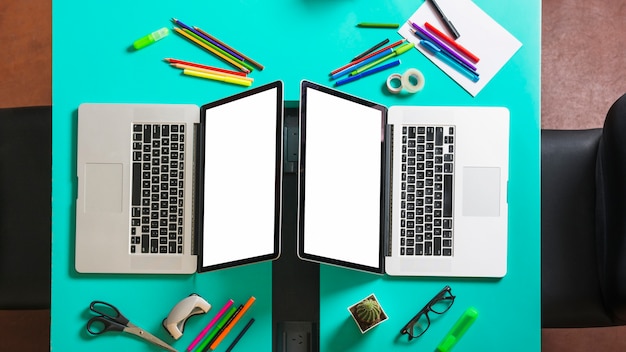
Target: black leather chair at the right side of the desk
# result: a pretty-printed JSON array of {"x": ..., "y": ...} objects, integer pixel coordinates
[{"x": 583, "y": 224}]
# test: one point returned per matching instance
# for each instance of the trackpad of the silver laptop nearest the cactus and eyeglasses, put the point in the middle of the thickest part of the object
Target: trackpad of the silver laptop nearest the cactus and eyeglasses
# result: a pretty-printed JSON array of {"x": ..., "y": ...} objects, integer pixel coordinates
[{"x": 481, "y": 191}]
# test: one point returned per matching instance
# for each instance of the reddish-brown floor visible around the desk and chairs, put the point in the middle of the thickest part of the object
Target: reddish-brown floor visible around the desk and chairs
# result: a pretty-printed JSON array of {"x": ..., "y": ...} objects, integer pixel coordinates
[{"x": 583, "y": 72}]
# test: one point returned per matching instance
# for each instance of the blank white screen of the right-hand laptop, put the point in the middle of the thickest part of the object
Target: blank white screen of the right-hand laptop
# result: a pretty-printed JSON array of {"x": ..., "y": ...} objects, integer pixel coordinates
[{"x": 341, "y": 181}]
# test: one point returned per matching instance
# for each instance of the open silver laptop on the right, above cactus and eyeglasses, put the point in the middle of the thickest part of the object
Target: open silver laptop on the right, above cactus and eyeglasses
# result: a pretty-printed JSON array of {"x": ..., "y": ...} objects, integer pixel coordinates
[{"x": 409, "y": 190}]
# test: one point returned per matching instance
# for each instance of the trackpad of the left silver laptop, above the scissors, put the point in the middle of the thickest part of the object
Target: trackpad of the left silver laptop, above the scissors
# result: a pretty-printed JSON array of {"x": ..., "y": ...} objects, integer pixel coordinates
[{"x": 103, "y": 188}]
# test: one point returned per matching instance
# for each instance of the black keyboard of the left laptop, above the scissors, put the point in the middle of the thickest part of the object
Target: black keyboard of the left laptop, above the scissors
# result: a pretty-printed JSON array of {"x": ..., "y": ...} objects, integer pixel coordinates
[{"x": 158, "y": 152}]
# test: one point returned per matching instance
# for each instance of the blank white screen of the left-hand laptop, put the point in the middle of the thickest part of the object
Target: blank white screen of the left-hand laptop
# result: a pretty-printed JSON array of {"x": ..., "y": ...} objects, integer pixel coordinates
[{"x": 240, "y": 179}]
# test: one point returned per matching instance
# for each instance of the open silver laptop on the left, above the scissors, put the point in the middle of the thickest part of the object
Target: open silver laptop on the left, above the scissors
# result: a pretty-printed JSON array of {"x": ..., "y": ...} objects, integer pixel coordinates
[{"x": 179, "y": 188}]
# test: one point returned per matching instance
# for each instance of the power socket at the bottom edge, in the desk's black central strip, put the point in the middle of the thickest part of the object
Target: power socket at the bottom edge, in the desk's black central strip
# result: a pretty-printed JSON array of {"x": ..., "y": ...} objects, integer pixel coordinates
[{"x": 296, "y": 336}]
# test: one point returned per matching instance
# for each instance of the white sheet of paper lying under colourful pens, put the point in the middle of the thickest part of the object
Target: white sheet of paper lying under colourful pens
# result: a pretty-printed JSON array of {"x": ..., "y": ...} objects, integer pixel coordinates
[{"x": 480, "y": 34}]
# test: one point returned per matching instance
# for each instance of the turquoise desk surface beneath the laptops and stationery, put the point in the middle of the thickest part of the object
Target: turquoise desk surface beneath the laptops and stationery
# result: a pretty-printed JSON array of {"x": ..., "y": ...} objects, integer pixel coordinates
[{"x": 295, "y": 40}]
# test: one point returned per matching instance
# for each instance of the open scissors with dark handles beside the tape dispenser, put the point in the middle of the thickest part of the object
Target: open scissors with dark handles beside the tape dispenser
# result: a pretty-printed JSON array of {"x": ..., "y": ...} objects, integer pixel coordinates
[{"x": 110, "y": 319}]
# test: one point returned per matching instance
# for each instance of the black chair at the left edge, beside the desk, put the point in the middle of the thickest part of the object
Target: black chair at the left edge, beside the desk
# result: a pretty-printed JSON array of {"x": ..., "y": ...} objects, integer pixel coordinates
[{"x": 25, "y": 207}]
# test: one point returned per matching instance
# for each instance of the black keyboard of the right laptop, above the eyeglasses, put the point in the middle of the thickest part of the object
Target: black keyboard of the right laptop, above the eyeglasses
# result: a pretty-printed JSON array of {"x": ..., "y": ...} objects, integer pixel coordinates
[{"x": 426, "y": 225}]
